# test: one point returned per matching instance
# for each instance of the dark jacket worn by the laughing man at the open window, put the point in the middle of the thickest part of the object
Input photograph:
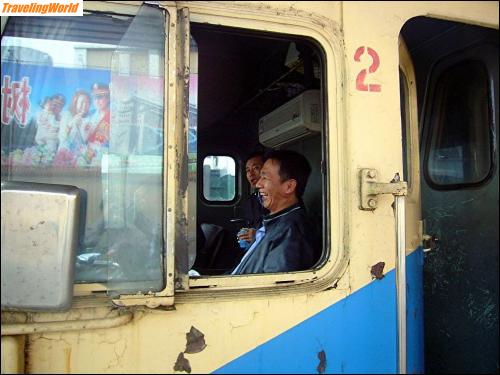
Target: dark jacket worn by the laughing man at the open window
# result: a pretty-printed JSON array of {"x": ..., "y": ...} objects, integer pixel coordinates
[{"x": 287, "y": 245}]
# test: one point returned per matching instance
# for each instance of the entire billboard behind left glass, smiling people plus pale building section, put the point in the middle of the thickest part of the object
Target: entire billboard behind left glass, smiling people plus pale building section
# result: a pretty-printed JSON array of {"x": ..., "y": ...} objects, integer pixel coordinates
[{"x": 61, "y": 117}]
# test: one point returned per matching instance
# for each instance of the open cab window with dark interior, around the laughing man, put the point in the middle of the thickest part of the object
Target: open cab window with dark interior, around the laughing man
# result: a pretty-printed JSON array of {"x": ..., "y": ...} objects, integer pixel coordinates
[{"x": 256, "y": 92}]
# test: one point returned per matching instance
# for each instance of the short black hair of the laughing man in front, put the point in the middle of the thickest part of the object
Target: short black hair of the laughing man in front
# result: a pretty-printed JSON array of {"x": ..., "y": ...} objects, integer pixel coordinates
[{"x": 292, "y": 165}]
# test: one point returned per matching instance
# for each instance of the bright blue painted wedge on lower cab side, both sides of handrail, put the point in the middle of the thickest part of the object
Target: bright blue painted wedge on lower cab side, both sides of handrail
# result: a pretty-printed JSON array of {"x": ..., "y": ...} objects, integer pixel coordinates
[{"x": 358, "y": 334}]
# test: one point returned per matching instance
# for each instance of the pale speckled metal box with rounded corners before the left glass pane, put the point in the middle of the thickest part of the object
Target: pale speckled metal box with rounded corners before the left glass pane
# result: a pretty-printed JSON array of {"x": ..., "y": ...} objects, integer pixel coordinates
[{"x": 39, "y": 239}]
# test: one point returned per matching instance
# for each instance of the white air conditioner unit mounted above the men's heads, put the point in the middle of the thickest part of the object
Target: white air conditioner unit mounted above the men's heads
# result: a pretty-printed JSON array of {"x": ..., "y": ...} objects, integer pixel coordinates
[{"x": 296, "y": 119}]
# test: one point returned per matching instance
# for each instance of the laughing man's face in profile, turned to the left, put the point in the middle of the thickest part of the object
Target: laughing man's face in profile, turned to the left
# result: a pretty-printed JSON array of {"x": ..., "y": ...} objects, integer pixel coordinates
[{"x": 275, "y": 193}]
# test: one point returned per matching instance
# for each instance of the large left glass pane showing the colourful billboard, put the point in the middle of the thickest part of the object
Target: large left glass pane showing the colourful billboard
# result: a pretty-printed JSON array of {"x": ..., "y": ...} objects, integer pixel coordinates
[{"x": 82, "y": 105}]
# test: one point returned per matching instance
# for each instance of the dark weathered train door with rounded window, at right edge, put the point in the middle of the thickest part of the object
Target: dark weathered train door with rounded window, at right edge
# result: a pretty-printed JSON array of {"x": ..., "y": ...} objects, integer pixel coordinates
[{"x": 456, "y": 69}]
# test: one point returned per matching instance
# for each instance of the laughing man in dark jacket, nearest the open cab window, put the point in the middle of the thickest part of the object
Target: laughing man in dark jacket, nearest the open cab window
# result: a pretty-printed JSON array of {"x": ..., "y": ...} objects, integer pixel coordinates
[{"x": 284, "y": 242}]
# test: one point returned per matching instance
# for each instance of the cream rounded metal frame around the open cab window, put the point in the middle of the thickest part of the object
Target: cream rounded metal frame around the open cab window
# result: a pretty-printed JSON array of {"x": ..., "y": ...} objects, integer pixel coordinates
[{"x": 333, "y": 262}]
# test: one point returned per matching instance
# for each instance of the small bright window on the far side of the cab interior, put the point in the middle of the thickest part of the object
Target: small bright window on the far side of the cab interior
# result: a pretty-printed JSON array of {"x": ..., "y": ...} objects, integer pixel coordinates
[{"x": 219, "y": 178}]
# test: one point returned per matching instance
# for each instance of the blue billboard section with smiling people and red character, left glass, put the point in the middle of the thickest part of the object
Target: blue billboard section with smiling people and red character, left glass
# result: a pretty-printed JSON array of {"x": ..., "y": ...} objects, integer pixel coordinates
[{"x": 54, "y": 116}]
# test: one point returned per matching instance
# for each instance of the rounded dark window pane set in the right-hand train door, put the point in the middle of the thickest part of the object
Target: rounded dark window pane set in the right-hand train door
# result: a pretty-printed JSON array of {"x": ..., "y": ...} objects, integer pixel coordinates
[{"x": 460, "y": 144}]
